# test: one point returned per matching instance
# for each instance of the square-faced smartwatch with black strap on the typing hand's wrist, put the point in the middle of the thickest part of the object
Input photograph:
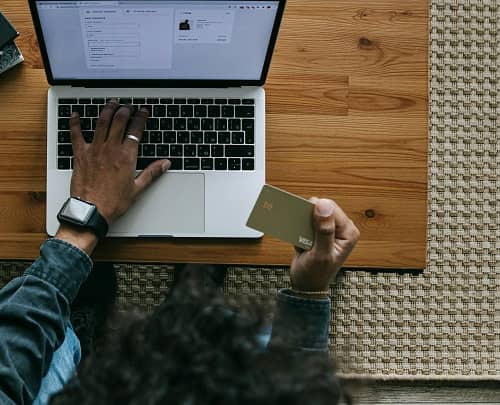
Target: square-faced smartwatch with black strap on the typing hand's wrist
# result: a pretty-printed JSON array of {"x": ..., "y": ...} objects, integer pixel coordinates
[{"x": 83, "y": 214}]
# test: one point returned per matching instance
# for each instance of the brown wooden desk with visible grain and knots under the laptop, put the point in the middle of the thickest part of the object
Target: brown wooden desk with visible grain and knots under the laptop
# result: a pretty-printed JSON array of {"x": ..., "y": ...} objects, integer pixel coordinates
[{"x": 346, "y": 119}]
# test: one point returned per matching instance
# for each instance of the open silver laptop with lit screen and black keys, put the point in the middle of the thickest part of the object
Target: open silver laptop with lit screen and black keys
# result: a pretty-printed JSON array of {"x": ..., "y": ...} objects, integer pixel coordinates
[{"x": 198, "y": 67}]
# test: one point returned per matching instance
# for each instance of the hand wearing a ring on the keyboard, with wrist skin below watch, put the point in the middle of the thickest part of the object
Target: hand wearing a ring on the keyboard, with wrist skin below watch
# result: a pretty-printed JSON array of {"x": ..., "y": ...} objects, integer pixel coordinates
[{"x": 104, "y": 170}]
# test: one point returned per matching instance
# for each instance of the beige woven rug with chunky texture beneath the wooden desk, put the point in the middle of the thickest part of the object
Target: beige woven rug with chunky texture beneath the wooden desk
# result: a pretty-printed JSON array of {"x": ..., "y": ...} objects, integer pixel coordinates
[{"x": 444, "y": 323}]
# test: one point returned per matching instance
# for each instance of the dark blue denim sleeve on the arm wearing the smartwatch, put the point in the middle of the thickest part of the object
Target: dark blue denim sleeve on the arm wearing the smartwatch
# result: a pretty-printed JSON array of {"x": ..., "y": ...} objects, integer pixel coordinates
[{"x": 34, "y": 313}]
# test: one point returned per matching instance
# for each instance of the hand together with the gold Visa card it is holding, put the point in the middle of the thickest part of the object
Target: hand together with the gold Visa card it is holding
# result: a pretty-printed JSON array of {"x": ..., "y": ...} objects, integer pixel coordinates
[{"x": 319, "y": 226}]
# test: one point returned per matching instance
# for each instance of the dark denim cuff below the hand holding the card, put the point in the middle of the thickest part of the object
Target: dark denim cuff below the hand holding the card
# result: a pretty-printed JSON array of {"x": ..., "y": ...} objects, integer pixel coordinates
[{"x": 301, "y": 323}]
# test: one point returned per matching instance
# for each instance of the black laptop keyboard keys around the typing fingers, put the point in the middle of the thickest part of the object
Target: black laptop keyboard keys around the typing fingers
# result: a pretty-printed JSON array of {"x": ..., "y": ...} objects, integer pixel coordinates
[{"x": 194, "y": 134}]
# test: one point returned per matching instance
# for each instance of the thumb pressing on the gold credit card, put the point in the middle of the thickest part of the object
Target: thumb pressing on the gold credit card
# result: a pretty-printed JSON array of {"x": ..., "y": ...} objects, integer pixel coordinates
[{"x": 324, "y": 225}]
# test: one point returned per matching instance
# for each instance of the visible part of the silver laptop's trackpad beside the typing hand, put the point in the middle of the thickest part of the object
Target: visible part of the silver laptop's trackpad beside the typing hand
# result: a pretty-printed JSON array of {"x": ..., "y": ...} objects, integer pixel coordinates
[{"x": 173, "y": 205}]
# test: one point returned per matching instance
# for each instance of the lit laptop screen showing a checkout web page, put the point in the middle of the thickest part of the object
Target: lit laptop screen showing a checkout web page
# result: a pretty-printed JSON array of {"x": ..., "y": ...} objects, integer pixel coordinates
[{"x": 157, "y": 39}]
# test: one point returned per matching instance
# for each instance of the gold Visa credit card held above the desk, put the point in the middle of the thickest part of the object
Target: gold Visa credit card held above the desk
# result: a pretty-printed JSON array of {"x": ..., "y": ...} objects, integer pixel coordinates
[{"x": 284, "y": 216}]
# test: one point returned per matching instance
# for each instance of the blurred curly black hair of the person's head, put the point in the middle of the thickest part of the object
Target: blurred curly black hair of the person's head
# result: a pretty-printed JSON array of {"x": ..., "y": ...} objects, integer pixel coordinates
[{"x": 200, "y": 347}]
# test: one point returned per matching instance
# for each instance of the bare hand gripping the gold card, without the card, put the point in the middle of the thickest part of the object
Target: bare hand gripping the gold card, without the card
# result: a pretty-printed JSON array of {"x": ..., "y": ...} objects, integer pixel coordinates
[{"x": 336, "y": 236}]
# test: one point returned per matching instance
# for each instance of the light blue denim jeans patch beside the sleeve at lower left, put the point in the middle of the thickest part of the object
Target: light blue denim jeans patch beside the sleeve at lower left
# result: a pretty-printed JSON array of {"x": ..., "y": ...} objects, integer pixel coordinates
[{"x": 62, "y": 367}]
